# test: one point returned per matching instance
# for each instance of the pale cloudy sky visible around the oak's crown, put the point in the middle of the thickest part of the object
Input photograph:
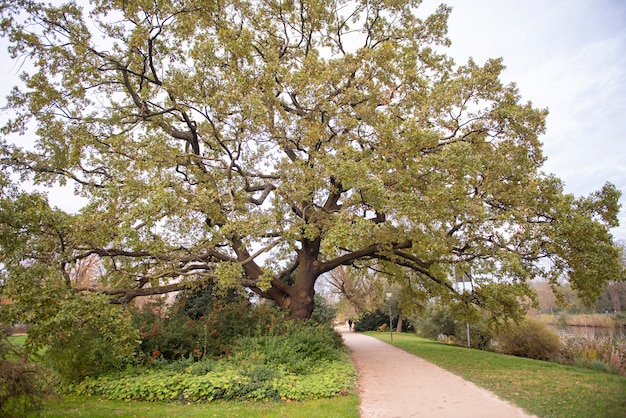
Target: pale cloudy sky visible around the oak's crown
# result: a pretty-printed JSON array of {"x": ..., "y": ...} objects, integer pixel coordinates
[{"x": 566, "y": 55}]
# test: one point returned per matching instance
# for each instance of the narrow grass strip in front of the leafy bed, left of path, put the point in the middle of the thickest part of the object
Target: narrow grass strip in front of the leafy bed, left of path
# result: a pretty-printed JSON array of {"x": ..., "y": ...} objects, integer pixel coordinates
[{"x": 68, "y": 406}]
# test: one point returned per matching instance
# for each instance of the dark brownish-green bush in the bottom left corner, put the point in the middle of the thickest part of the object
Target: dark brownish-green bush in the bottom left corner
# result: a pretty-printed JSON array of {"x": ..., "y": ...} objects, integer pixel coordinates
[{"x": 22, "y": 382}]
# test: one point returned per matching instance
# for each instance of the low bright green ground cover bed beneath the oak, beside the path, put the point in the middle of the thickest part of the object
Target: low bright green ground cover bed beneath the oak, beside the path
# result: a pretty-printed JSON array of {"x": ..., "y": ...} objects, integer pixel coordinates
[{"x": 307, "y": 361}]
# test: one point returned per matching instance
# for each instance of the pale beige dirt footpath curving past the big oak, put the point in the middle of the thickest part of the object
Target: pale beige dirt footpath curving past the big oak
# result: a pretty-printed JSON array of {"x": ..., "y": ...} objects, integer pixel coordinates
[{"x": 394, "y": 383}]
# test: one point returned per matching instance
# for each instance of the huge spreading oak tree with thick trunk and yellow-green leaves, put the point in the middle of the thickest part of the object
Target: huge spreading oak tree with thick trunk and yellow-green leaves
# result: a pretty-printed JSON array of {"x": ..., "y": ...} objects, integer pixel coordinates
[{"x": 263, "y": 143}]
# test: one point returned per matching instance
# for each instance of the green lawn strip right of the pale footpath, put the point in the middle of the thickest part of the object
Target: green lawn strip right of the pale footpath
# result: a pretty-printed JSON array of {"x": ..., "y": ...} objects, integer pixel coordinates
[{"x": 542, "y": 388}]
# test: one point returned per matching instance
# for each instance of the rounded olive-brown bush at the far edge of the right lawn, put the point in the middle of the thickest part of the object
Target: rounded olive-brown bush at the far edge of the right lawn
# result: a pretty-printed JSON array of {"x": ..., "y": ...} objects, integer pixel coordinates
[{"x": 531, "y": 338}]
